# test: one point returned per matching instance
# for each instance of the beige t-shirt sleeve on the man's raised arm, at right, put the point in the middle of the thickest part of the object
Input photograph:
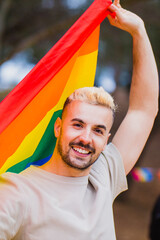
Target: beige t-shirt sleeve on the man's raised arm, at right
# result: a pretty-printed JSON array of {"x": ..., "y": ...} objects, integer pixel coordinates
[{"x": 111, "y": 170}]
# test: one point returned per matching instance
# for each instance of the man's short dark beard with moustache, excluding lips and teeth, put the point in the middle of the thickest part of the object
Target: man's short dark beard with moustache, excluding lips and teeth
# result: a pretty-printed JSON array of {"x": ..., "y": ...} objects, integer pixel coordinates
[{"x": 77, "y": 162}]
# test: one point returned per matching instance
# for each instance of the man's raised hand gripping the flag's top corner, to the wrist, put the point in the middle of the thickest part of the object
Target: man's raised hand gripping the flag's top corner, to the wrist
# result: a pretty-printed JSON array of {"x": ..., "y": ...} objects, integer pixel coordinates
[{"x": 125, "y": 20}]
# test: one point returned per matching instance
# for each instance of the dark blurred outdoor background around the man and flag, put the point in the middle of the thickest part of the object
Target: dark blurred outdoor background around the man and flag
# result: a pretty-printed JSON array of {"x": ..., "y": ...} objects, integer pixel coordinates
[{"x": 28, "y": 29}]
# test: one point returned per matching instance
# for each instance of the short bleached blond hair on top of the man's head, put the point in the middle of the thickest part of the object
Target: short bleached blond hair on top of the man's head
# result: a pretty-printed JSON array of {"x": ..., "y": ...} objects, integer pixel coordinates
[{"x": 92, "y": 95}]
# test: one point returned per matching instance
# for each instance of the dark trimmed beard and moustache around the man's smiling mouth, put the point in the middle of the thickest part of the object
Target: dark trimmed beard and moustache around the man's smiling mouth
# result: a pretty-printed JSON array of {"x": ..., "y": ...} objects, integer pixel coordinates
[{"x": 65, "y": 156}]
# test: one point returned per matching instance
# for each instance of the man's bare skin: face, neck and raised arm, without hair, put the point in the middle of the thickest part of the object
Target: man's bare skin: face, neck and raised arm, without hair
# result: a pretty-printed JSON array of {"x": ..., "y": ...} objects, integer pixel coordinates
[{"x": 84, "y": 129}]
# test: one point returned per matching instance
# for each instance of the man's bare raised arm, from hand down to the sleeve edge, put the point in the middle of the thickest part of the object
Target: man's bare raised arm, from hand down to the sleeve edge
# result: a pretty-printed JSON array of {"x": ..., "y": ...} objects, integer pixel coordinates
[{"x": 133, "y": 132}]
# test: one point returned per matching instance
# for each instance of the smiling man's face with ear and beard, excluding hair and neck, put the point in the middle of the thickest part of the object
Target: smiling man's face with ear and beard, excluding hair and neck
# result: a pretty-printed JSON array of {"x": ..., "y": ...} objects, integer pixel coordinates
[{"x": 82, "y": 133}]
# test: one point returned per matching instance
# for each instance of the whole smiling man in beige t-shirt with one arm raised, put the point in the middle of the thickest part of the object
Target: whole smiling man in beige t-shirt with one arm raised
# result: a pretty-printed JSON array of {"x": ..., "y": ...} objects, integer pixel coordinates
[{"x": 71, "y": 196}]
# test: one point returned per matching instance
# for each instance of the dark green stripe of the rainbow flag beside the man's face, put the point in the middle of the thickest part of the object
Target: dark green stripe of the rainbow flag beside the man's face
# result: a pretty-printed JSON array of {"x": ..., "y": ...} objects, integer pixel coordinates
[{"x": 44, "y": 149}]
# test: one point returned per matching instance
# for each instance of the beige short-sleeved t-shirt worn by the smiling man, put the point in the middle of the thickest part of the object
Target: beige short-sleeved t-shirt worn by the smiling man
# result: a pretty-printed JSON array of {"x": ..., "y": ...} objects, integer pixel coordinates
[{"x": 39, "y": 205}]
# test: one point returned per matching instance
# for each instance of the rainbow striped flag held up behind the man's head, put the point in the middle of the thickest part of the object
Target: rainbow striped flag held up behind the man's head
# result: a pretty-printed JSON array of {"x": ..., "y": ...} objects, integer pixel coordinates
[{"x": 28, "y": 113}]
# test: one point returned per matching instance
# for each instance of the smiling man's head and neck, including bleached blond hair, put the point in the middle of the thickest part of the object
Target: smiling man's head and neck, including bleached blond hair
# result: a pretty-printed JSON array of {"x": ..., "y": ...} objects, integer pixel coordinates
[{"x": 81, "y": 134}]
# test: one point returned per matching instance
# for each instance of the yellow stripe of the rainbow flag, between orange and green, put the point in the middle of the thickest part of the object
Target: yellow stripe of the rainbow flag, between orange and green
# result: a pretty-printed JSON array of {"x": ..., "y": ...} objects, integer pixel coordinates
[{"x": 82, "y": 75}]
